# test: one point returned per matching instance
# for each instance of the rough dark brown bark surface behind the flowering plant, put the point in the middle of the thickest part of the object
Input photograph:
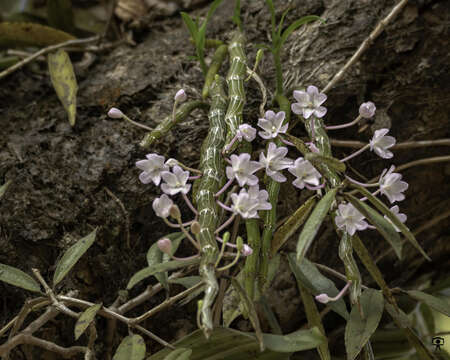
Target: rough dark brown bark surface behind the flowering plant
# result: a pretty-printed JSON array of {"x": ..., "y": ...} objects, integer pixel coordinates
[{"x": 59, "y": 174}]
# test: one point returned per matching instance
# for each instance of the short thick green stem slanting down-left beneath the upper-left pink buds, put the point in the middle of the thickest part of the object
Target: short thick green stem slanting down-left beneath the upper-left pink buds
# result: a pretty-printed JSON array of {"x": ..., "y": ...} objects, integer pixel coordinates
[{"x": 169, "y": 122}]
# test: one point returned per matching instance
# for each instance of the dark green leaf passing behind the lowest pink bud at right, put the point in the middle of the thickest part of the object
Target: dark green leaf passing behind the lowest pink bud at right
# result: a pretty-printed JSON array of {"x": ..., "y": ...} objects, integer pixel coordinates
[{"x": 307, "y": 274}]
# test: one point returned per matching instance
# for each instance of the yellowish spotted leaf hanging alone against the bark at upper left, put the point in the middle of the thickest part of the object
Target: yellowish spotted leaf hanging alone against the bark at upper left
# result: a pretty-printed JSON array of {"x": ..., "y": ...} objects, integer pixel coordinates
[{"x": 64, "y": 82}]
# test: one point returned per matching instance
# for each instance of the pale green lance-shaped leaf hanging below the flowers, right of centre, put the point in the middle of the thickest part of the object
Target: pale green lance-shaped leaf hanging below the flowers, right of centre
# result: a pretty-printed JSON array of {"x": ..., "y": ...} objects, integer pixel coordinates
[{"x": 313, "y": 223}]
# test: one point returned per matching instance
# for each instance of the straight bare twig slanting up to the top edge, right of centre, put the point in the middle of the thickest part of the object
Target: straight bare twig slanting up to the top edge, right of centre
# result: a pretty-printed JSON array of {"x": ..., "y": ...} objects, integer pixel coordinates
[{"x": 366, "y": 43}]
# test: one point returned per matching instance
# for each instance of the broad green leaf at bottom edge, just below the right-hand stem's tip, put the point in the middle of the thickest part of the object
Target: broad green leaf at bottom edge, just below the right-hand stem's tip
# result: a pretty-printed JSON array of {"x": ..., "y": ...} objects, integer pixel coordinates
[{"x": 359, "y": 330}]
